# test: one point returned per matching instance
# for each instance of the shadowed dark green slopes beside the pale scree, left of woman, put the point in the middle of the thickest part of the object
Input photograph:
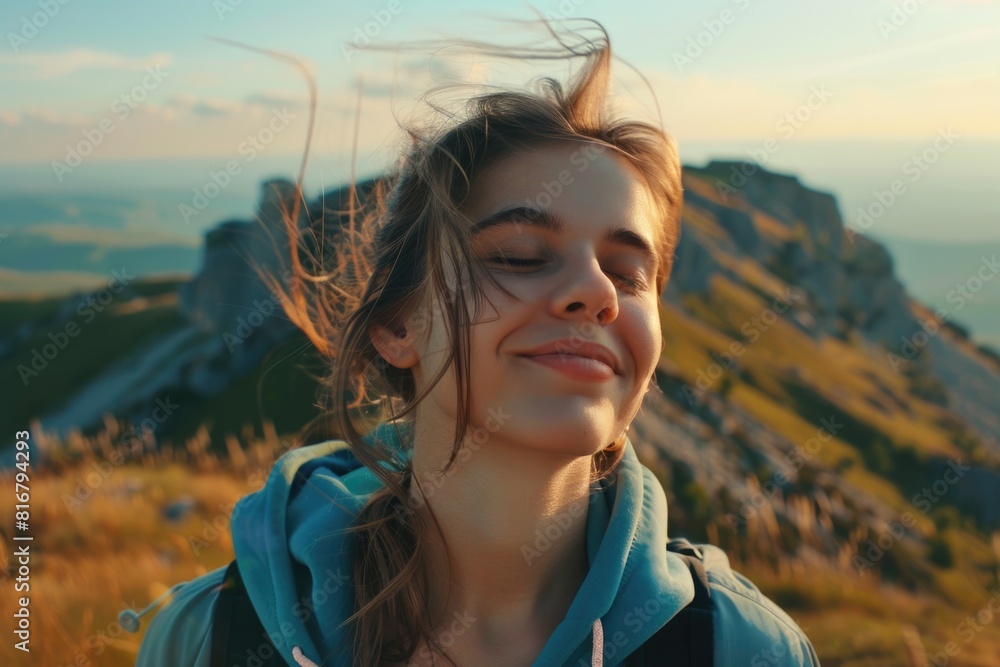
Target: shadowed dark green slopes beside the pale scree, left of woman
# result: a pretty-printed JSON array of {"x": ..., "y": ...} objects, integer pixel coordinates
[{"x": 282, "y": 389}]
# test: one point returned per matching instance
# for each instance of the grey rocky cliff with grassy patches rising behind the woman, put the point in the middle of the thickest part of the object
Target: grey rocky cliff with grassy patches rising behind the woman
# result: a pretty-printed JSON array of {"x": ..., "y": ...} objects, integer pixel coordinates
[{"x": 781, "y": 327}]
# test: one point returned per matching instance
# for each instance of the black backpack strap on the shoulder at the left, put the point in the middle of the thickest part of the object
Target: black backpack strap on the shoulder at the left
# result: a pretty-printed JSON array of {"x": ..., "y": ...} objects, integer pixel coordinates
[{"x": 237, "y": 633}]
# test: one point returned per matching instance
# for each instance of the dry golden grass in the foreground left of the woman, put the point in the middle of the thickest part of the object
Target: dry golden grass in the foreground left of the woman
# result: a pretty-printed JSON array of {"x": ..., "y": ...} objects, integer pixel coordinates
[{"x": 102, "y": 547}]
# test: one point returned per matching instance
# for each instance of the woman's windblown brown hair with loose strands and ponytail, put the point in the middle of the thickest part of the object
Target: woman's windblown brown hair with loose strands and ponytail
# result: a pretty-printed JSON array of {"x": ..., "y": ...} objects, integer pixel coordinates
[{"x": 387, "y": 269}]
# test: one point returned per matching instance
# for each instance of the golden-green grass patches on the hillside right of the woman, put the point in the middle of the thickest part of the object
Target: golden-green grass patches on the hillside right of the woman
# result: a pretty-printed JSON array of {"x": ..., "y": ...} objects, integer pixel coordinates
[{"x": 852, "y": 620}]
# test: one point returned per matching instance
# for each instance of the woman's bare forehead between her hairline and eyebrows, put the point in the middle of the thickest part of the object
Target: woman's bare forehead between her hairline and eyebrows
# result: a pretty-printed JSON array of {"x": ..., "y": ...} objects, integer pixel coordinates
[{"x": 585, "y": 183}]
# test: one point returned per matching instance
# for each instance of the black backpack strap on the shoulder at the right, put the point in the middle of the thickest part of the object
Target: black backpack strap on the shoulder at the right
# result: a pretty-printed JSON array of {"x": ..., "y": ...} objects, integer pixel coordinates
[{"x": 687, "y": 639}]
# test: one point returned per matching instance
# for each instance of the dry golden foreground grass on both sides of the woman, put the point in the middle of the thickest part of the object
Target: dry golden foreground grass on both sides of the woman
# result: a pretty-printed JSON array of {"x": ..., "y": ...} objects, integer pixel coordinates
[{"x": 117, "y": 541}]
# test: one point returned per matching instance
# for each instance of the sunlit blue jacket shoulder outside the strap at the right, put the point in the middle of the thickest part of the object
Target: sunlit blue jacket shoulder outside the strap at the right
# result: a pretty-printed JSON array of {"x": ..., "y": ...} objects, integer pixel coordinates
[{"x": 750, "y": 629}]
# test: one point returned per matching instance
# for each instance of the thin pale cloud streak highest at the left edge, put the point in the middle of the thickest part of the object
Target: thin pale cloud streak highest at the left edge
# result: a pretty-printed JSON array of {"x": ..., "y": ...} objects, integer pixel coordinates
[{"x": 55, "y": 65}]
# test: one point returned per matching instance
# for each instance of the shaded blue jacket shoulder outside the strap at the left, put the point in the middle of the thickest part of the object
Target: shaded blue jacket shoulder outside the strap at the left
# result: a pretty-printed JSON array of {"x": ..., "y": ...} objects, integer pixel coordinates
[{"x": 180, "y": 634}]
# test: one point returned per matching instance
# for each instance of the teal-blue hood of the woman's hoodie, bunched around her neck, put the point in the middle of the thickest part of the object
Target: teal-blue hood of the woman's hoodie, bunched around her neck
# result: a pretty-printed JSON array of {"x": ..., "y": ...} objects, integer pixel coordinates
[{"x": 294, "y": 554}]
